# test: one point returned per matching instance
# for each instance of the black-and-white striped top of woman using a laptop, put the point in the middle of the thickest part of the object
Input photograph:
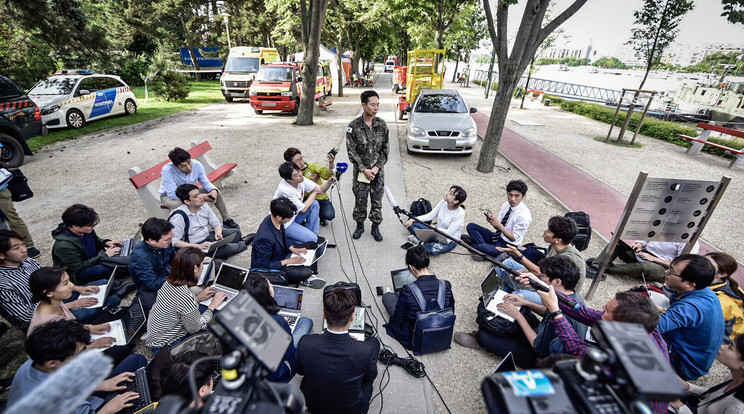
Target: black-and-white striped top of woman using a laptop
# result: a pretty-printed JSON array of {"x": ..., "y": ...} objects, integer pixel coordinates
[{"x": 174, "y": 315}]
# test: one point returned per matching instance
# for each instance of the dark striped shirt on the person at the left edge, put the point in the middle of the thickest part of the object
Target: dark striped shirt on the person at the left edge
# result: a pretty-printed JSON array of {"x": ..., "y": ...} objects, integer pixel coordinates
[{"x": 15, "y": 295}]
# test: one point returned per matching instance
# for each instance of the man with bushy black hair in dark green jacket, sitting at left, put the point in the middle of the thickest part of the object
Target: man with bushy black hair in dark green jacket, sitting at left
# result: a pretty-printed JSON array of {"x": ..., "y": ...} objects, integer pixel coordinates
[{"x": 78, "y": 248}]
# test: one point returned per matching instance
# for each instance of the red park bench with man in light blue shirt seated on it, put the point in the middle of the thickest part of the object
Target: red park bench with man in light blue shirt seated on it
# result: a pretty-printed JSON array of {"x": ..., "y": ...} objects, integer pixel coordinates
[{"x": 142, "y": 180}]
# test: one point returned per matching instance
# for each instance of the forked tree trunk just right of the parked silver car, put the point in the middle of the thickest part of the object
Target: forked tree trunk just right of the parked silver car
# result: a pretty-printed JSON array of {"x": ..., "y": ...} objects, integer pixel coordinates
[{"x": 530, "y": 35}]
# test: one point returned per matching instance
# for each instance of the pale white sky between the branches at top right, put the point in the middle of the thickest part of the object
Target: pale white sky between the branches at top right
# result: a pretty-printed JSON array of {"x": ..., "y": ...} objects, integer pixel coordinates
[{"x": 608, "y": 22}]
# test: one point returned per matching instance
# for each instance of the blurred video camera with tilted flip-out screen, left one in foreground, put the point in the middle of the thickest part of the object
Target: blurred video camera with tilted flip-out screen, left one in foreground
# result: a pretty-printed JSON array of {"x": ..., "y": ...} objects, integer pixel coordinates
[{"x": 257, "y": 345}]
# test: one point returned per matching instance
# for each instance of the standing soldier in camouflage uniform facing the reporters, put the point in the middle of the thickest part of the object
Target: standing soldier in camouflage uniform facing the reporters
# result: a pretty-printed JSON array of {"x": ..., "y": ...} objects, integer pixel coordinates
[{"x": 367, "y": 141}]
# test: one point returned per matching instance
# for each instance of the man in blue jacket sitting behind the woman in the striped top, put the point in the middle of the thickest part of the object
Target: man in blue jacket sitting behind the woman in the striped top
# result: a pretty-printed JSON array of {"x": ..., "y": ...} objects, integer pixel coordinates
[{"x": 150, "y": 261}]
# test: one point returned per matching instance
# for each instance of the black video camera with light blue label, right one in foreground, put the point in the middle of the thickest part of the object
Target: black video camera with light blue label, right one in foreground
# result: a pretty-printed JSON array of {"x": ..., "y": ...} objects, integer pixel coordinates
[{"x": 621, "y": 377}]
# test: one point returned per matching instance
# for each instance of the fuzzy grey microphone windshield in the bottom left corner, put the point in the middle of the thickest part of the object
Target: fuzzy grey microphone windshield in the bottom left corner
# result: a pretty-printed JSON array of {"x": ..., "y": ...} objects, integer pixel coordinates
[{"x": 67, "y": 388}]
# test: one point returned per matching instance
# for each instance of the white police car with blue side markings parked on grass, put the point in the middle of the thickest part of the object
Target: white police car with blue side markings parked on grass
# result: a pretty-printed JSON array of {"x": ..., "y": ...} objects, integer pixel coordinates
[{"x": 74, "y": 97}]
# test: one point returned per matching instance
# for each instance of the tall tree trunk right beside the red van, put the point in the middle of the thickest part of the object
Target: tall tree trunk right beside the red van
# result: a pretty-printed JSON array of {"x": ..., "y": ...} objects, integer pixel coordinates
[{"x": 312, "y": 14}]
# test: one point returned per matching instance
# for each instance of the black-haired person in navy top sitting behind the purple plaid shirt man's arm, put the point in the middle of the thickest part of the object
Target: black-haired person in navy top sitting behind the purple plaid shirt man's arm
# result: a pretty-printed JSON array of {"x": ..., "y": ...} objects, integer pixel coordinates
[{"x": 531, "y": 343}]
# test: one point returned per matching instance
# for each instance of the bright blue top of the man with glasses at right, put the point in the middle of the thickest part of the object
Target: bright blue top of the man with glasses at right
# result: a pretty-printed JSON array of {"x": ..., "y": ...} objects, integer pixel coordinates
[{"x": 693, "y": 326}]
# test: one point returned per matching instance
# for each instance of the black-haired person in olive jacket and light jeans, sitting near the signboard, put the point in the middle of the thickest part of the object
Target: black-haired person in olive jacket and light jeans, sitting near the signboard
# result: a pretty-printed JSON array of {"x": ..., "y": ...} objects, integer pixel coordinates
[{"x": 559, "y": 234}]
